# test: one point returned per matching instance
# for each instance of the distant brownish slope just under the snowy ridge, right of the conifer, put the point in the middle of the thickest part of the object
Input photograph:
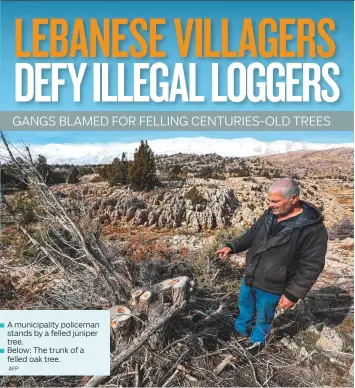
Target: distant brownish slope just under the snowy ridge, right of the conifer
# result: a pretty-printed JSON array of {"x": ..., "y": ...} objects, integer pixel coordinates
[{"x": 332, "y": 164}]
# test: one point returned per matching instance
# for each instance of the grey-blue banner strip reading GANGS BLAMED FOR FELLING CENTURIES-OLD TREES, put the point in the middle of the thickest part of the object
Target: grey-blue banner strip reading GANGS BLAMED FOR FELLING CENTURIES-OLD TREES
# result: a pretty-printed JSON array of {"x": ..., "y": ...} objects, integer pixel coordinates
[{"x": 177, "y": 120}]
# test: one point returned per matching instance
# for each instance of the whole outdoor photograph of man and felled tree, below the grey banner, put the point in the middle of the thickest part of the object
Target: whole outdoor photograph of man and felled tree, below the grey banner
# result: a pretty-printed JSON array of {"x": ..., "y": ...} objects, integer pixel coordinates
[{"x": 156, "y": 231}]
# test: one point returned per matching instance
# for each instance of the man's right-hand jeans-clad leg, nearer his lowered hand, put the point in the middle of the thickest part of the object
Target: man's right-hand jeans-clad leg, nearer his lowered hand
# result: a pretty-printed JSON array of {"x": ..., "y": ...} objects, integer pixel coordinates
[{"x": 266, "y": 304}]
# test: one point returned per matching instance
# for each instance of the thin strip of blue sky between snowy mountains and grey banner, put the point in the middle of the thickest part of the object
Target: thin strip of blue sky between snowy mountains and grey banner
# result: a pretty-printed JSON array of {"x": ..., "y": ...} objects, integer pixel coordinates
[{"x": 45, "y": 137}]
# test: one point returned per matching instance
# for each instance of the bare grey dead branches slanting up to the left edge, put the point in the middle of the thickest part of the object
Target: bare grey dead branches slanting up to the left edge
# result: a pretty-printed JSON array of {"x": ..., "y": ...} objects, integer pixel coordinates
[{"x": 63, "y": 238}]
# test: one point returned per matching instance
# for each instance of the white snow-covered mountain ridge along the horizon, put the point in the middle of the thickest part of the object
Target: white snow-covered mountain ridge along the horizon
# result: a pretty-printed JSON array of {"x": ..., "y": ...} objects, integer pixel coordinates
[{"x": 100, "y": 153}]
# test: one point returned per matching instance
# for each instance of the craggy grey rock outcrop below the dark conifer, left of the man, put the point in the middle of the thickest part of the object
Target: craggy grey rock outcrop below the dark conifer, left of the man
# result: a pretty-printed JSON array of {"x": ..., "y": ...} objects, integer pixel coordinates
[{"x": 192, "y": 207}]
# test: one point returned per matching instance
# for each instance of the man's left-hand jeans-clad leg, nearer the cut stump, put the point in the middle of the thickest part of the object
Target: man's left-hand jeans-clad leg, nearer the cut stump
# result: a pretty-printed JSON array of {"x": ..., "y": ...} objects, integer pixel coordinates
[{"x": 247, "y": 311}]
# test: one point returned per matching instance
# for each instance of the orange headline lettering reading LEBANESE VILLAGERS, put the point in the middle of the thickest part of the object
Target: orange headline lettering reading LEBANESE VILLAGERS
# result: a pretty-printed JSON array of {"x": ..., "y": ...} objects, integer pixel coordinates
[{"x": 199, "y": 37}]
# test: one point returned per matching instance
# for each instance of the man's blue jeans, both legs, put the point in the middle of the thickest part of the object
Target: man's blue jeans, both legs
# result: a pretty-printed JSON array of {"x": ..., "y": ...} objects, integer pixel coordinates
[{"x": 257, "y": 310}]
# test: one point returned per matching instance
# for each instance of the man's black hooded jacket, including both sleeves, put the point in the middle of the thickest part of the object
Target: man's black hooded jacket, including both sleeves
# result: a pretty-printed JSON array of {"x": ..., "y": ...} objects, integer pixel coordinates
[{"x": 288, "y": 262}]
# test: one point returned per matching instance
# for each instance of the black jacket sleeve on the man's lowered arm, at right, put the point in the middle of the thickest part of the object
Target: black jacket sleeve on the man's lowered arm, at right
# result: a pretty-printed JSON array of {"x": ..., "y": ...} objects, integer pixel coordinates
[{"x": 312, "y": 261}]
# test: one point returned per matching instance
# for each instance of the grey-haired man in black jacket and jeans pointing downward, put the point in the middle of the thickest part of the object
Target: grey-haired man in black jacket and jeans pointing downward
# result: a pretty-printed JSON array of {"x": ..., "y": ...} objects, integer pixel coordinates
[{"x": 286, "y": 254}]
